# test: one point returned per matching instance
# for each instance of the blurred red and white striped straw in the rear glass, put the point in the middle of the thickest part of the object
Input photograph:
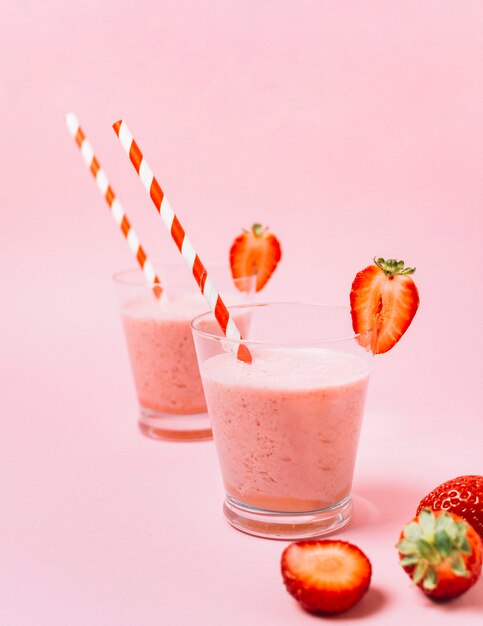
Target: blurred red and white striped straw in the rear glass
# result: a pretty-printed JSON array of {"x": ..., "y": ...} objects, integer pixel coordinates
[{"x": 108, "y": 194}]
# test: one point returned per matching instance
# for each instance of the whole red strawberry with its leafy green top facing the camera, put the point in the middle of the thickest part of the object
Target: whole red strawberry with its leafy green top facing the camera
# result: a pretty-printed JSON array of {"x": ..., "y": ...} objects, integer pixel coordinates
[{"x": 442, "y": 553}]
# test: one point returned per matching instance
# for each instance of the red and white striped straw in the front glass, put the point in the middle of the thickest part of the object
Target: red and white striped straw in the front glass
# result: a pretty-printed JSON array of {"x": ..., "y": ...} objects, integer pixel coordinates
[{"x": 177, "y": 232}]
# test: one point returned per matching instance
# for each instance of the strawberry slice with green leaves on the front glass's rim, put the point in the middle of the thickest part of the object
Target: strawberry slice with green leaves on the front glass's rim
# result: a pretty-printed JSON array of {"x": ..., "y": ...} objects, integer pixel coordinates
[{"x": 384, "y": 300}]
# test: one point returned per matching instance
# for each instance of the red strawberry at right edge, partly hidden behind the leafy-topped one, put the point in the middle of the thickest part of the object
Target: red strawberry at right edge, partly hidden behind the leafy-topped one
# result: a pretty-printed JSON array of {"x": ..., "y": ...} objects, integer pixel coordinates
[{"x": 463, "y": 496}]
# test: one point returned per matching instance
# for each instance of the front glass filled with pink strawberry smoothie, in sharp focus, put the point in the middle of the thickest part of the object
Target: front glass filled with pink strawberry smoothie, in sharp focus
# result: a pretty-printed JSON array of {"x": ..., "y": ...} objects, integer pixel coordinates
[{"x": 286, "y": 426}]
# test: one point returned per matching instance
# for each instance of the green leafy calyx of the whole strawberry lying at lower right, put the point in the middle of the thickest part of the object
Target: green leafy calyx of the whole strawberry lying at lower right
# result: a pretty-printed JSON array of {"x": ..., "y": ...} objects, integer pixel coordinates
[{"x": 432, "y": 541}]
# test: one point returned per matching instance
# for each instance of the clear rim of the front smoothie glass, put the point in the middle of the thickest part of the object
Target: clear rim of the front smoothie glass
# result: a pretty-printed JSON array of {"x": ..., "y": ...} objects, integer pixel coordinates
[{"x": 279, "y": 344}]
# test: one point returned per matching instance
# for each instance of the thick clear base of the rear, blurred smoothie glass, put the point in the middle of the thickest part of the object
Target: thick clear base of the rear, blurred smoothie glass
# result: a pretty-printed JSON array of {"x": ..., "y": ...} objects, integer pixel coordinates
[{"x": 171, "y": 427}]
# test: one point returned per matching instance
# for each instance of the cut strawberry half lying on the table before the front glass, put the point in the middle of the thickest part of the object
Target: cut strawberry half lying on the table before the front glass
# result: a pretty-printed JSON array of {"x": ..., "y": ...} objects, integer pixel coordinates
[{"x": 326, "y": 576}]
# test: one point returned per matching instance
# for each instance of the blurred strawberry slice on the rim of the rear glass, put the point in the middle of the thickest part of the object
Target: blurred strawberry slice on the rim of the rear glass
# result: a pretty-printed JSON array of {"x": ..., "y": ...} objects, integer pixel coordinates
[{"x": 256, "y": 251}]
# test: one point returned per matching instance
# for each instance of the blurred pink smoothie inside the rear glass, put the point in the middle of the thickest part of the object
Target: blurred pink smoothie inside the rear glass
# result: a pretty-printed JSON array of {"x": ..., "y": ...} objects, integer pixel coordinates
[{"x": 162, "y": 353}]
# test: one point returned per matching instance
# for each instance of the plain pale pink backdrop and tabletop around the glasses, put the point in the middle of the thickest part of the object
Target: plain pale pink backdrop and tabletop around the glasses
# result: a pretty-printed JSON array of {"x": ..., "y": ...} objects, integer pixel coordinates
[{"x": 353, "y": 129}]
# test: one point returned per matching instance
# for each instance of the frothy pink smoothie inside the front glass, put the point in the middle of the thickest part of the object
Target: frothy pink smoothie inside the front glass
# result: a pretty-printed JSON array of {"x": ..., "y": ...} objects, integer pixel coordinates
[{"x": 286, "y": 426}]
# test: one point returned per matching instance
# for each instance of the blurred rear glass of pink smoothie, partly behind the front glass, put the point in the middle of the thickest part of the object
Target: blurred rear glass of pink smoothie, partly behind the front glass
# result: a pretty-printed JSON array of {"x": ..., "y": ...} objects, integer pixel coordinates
[{"x": 161, "y": 350}]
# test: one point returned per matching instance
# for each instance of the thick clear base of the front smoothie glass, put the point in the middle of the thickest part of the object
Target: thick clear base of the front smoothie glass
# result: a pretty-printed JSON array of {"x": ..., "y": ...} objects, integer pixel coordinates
[{"x": 273, "y": 525}]
